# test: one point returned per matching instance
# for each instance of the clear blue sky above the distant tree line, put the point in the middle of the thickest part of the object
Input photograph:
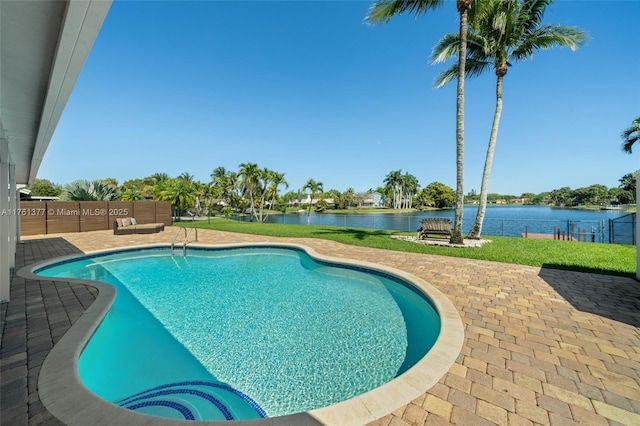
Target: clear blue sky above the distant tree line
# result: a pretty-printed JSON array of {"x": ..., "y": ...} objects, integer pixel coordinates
[{"x": 308, "y": 89}]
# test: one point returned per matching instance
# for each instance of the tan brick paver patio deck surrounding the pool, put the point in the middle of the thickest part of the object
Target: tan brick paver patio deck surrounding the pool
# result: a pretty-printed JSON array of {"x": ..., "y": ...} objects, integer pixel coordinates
[{"x": 542, "y": 346}]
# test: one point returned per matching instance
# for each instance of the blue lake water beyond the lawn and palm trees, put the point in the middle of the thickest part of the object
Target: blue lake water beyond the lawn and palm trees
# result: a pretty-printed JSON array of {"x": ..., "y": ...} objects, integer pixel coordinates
[{"x": 499, "y": 220}]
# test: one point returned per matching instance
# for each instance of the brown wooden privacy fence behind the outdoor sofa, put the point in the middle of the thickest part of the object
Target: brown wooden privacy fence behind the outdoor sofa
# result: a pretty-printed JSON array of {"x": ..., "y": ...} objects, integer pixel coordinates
[{"x": 52, "y": 217}]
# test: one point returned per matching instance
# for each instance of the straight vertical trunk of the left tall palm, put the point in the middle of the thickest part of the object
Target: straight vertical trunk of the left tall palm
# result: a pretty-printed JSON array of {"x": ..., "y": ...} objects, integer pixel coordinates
[{"x": 456, "y": 233}]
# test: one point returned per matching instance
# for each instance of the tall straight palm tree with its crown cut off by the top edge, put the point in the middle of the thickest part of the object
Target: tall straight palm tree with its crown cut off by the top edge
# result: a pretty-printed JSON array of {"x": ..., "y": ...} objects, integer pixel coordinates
[{"x": 383, "y": 11}]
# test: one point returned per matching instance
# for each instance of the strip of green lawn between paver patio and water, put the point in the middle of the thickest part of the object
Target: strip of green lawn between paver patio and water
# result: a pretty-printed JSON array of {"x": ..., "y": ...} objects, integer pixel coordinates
[{"x": 612, "y": 259}]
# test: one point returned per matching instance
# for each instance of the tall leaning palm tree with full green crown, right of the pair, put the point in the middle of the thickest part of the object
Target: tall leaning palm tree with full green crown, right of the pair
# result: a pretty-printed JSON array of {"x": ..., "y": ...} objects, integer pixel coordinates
[{"x": 501, "y": 32}]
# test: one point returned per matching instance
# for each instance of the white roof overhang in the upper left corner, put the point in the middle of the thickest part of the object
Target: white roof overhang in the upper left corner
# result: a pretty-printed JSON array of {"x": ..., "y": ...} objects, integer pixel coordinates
[{"x": 43, "y": 47}]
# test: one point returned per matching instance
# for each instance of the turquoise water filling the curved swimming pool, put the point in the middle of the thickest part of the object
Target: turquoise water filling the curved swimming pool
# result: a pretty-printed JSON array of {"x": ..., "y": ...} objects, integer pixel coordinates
[{"x": 222, "y": 334}]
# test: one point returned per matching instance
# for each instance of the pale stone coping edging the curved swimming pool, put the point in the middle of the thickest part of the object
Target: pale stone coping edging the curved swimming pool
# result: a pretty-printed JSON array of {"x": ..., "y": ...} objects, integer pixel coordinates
[{"x": 64, "y": 395}]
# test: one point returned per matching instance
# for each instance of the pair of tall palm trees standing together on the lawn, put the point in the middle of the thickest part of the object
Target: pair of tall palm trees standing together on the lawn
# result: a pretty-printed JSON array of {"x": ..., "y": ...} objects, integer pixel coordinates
[{"x": 493, "y": 34}]
